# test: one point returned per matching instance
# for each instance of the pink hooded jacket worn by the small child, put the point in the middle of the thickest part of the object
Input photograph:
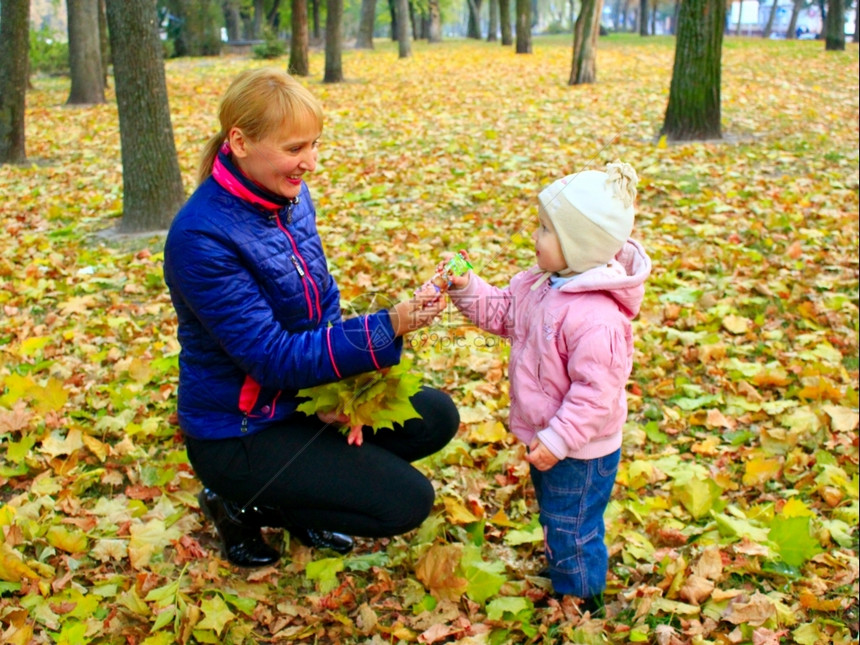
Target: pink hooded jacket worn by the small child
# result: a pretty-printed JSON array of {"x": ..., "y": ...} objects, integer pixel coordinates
[{"x": 571, "y": 350}]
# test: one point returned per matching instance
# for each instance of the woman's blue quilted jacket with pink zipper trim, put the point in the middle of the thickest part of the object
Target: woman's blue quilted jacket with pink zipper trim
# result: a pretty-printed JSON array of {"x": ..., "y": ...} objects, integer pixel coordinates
[{"x": 259, "y": 313}]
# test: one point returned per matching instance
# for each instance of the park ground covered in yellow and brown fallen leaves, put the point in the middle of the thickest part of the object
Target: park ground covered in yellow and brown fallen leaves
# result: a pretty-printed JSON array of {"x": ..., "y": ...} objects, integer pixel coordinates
[{"x": 735, "y": 515}]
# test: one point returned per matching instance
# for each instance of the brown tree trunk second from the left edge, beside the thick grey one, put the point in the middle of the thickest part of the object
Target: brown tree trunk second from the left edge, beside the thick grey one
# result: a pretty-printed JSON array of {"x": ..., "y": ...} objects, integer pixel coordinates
[{"x": 85, "y": 58}]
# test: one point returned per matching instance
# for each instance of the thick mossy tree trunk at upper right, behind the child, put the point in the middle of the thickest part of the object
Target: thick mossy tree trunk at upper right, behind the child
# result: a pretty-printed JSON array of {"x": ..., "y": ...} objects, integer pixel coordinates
[{"x": 693, "y": 111}]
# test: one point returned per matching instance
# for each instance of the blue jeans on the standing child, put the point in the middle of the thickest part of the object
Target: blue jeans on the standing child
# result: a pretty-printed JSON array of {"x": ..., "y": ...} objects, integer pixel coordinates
[{"x": 573, "y": 496}]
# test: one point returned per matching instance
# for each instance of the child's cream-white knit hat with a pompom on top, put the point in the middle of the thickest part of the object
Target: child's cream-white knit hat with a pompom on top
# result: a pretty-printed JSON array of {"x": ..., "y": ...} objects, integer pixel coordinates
[{"x": 592, "y": 213}]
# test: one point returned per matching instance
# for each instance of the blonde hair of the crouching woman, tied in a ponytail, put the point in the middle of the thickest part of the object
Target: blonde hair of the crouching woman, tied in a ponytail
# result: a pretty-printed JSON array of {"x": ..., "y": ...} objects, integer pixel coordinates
[{"x": 258, "y": 102}]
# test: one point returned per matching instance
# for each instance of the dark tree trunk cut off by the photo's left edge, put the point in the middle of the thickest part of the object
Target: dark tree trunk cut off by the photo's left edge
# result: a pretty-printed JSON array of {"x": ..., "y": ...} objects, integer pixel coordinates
[{"x": 14, "y": 63}]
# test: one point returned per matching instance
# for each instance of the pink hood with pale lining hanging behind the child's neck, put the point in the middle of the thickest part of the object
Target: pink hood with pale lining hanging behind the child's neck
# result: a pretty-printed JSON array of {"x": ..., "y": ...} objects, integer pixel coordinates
[{"x": 623, "y": 278}]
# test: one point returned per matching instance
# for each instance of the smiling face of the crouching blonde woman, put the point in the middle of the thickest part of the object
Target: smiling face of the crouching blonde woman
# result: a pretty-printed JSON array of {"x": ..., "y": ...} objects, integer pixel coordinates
[{"x": 279, "y": 161}]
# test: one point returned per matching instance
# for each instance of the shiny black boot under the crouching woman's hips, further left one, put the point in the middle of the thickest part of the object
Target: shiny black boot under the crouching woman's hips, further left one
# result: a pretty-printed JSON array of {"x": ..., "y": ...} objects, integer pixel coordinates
[{"x": 243, "y": 544}]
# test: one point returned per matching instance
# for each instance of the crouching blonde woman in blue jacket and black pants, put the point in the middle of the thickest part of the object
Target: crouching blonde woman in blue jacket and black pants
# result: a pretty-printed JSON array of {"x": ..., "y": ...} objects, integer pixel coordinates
[{"x": 259, "y": 318}]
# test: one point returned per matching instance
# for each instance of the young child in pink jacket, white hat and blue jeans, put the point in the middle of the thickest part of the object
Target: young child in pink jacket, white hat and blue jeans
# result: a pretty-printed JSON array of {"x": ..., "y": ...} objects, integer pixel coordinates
[{"x": 572, "y": 351}]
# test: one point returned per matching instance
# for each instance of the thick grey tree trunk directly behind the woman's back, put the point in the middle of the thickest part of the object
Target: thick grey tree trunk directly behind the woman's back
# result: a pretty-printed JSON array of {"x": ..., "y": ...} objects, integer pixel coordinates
[{"x": 152, "y": 190}]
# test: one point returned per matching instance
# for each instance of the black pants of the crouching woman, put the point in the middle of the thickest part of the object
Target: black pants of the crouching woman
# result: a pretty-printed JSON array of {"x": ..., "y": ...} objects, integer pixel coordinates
[{"x": 318, "y": 481}]
